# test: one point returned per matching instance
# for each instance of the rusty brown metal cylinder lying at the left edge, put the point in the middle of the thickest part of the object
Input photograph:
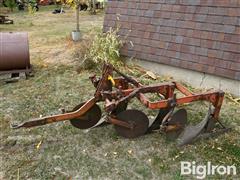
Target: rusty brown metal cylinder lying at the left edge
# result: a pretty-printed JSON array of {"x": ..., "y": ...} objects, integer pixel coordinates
[{"x": 14, "y": 51}]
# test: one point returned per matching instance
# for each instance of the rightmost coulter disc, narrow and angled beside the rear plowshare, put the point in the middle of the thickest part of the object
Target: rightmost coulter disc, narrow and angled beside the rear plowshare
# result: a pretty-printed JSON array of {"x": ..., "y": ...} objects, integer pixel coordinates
[{"x": 179, "y": 121}]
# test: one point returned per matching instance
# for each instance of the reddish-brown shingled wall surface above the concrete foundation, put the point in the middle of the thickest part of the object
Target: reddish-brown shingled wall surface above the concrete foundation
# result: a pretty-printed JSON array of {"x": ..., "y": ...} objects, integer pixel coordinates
[{"x": 201, "y": 35}]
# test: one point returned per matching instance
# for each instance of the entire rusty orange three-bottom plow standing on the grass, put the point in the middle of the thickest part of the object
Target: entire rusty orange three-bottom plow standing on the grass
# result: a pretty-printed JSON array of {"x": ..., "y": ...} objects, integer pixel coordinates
[{"x": 131, "y": 123}]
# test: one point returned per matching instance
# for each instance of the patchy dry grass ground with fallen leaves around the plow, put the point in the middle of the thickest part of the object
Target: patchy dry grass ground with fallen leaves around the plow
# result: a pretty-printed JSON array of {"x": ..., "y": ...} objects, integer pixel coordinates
[{"x": 60, "y": 151}]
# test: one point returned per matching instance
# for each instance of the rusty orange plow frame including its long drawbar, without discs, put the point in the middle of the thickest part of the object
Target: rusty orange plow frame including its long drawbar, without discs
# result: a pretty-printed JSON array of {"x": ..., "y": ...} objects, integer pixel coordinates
[{"x": 127, "y": 88}]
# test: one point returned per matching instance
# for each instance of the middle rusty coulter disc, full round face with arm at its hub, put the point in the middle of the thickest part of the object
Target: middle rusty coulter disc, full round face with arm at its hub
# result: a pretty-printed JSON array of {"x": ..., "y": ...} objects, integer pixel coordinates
[{"x": 137, "y": 119}]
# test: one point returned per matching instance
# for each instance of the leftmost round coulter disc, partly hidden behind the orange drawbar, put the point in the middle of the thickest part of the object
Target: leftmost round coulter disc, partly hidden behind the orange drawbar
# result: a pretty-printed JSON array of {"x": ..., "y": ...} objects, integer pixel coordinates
[{"x": 89, "y": 119}]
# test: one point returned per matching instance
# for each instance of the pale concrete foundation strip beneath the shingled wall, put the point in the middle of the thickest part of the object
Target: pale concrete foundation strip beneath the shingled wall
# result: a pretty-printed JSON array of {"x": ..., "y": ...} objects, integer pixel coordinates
[{"x": 194, "y": 78}]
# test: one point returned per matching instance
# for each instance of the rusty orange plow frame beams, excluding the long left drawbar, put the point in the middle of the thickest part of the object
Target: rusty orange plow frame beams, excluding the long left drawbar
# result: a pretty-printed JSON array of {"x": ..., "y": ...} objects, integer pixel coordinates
[{"x": 129, "y": 88}]
